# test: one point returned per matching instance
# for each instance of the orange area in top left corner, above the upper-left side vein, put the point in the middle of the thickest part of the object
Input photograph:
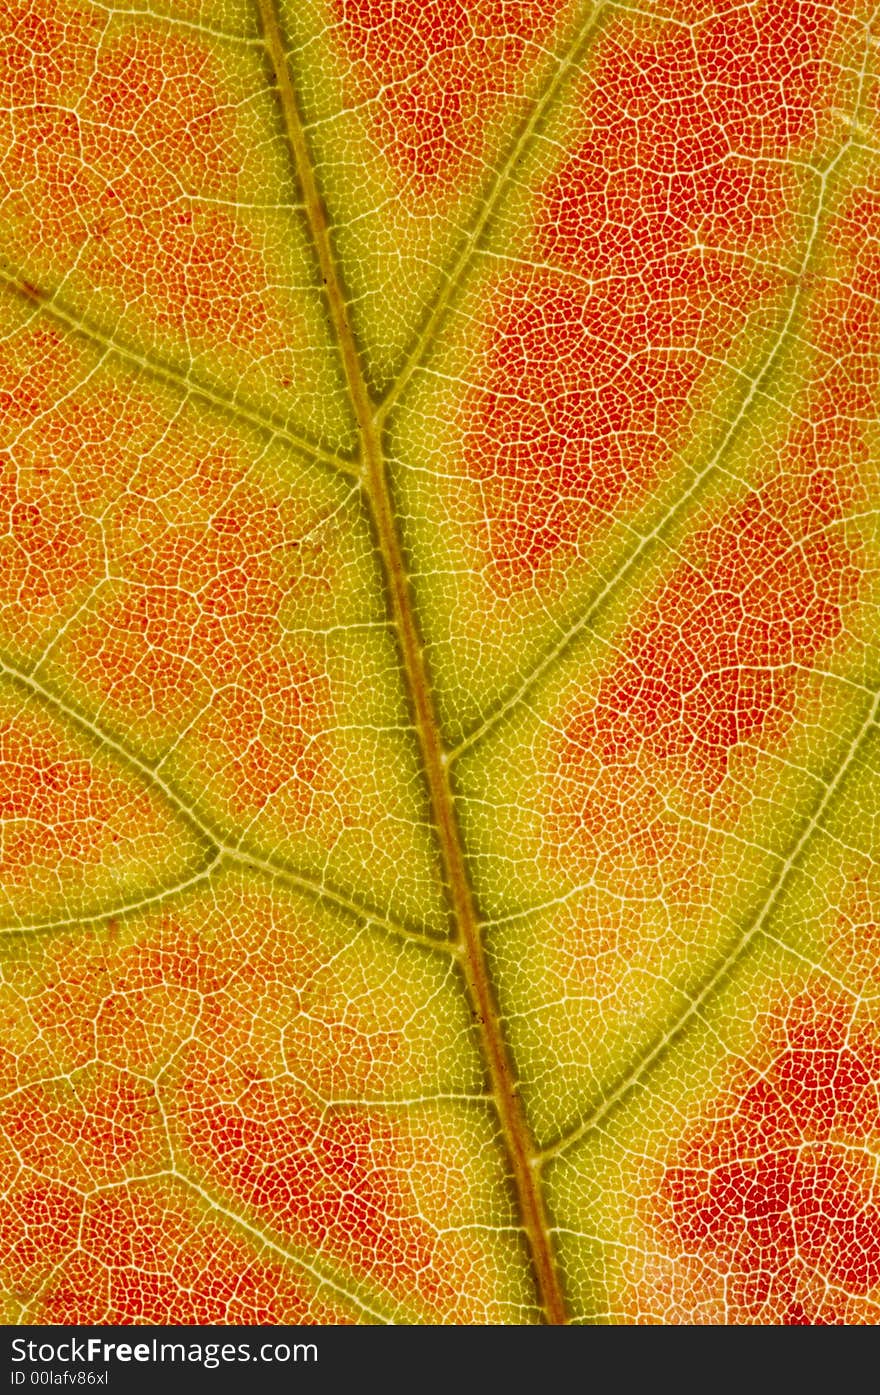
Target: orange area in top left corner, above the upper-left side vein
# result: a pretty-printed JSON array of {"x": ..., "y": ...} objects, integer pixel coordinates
[{"x": 128, "y": 146}]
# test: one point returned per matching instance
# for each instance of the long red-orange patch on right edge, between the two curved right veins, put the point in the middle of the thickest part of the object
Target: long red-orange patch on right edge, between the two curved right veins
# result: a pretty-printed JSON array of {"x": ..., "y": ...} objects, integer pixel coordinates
[{"x": 713, "y": 661}]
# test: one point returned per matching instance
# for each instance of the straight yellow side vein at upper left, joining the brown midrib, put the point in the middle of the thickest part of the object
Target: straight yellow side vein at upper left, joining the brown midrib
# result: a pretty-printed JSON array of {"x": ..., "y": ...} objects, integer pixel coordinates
[{"x": 169, "y": 376}]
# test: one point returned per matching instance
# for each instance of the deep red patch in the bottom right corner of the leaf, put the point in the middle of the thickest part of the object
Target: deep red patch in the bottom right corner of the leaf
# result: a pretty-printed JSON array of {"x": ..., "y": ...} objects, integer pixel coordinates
[{"x": 776, "y": 1193}]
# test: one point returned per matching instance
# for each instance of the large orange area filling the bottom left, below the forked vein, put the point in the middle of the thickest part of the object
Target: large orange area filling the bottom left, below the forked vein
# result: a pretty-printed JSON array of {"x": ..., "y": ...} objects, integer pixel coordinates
[{"x": 109, "y": 1099}]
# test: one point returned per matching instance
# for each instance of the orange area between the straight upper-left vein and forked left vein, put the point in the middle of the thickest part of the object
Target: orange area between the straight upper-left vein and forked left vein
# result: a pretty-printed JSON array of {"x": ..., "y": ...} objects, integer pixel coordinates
[{"x": 206, "y": 566}]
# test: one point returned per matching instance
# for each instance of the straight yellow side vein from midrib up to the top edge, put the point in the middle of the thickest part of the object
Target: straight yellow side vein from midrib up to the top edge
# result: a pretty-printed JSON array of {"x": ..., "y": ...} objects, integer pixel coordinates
[{"x": 489, "y": 210}]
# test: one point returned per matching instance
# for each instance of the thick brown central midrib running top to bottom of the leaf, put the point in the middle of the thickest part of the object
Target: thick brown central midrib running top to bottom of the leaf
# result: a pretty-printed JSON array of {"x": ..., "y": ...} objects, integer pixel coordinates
[{"x": 522, "y": 1152}]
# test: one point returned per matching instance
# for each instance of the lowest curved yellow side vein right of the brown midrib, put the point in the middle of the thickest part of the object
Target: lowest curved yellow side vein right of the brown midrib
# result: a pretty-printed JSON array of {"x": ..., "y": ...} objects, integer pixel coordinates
[{"x": 730, "y": 960}]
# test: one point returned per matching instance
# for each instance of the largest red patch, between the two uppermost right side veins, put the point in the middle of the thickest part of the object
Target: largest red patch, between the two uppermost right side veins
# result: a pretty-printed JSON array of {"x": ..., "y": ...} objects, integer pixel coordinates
[{"x": 598, "y": 368}]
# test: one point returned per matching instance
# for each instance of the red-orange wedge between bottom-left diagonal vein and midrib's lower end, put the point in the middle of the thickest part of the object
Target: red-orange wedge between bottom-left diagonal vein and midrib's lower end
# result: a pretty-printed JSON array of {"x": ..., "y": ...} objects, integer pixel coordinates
[{"x": 348, "y": 1184}]
